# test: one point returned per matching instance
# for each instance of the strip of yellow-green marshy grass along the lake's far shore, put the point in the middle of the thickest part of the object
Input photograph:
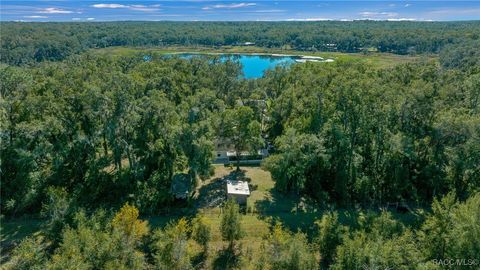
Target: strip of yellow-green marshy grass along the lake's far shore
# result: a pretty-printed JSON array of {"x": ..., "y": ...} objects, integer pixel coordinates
[{"x": 375, "y": 59}]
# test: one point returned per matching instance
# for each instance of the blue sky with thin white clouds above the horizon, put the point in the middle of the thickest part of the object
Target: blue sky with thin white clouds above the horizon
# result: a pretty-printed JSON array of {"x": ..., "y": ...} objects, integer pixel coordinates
[{"x": 261, "y": 10}]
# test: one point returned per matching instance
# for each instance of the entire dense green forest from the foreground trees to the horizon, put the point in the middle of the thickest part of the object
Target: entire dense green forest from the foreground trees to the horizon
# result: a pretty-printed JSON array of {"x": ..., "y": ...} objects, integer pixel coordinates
[{"x": 92, "y": 143}]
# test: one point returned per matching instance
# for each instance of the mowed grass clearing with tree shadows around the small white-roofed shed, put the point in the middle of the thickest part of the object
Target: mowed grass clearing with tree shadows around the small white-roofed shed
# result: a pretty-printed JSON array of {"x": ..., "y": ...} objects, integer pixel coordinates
[{"x": 265, "y": 206}]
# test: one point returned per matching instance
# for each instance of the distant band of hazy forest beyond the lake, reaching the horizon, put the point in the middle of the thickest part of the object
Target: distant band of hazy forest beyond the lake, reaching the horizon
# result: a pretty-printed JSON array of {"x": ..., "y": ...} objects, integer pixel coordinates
[{"x": 24, "y": 43}]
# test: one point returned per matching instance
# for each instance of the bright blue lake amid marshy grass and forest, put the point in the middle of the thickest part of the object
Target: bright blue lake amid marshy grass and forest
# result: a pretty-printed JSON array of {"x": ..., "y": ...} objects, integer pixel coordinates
[{"x": 253, "y": 66}]
